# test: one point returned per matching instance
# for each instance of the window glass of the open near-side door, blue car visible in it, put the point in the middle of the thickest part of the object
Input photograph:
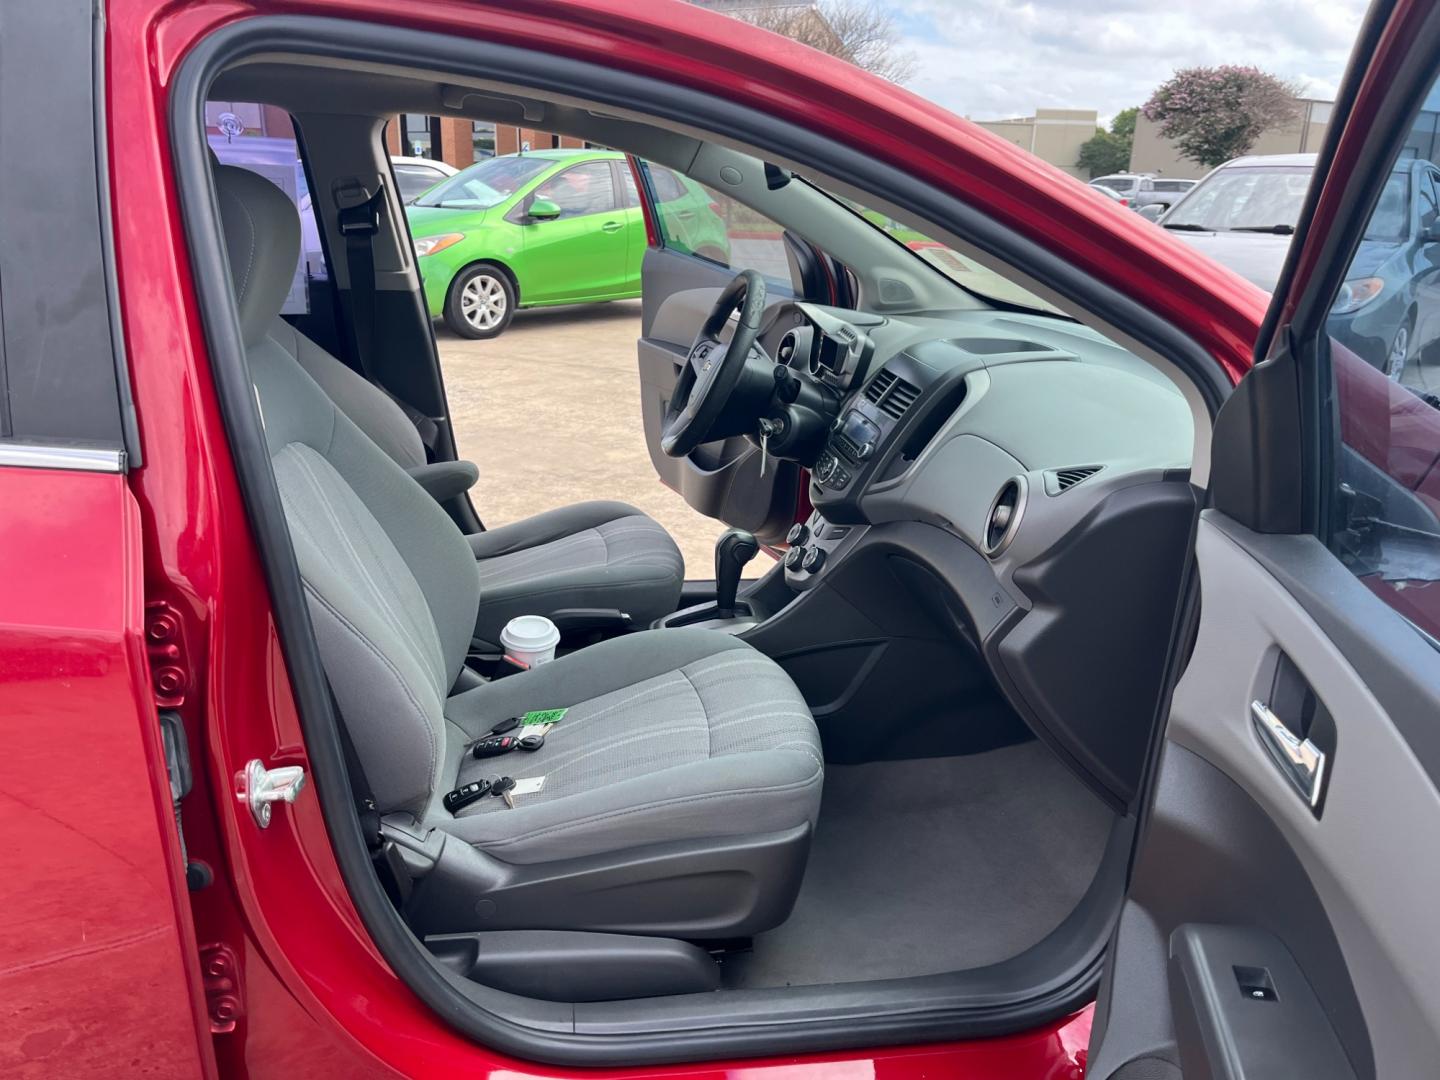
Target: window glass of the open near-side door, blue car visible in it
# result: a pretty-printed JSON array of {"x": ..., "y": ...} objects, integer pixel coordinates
[{"x": 1385, "y": 336}]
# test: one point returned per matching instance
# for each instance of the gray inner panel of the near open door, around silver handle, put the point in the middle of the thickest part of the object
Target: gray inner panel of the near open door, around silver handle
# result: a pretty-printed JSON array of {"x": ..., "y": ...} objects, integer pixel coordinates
[{"x": 1232, "y": 843}]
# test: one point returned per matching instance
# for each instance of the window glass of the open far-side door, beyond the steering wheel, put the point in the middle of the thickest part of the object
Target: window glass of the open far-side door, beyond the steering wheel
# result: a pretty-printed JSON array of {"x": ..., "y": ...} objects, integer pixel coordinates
[{"x": 699, "y": 221}]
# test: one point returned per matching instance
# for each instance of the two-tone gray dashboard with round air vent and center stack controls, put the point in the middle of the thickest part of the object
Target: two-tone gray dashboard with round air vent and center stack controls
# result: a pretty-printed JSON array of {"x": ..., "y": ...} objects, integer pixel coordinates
[{"x": 1036, "y": 474}]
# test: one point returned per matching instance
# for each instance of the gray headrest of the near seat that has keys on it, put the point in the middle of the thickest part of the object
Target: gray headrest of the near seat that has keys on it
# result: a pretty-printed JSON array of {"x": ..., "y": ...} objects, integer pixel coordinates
[{"x": 263, "y": 243}]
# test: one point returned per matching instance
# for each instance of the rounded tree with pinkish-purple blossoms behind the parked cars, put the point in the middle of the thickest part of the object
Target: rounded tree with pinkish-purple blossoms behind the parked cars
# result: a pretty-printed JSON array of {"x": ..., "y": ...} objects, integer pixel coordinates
[{"x": 1215, "y": 114}]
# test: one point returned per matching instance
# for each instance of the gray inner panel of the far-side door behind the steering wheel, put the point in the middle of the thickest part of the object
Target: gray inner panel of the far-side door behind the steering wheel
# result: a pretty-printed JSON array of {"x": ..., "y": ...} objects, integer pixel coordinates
[{"x": 721, "y": 480}]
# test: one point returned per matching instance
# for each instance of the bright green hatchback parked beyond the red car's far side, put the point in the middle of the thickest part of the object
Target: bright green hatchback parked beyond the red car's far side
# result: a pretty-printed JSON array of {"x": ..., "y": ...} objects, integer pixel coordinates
[{"x": 544, "y": 228}]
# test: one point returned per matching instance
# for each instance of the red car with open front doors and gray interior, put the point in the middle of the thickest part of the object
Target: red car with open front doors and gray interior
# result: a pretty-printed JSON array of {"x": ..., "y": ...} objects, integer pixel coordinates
[{"x": 1086, "y": 729}]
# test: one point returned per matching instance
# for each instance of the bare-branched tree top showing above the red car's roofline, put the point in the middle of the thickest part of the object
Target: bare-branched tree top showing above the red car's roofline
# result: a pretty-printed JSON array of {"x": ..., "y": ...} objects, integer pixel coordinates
[{"x": 855, "y": 31}]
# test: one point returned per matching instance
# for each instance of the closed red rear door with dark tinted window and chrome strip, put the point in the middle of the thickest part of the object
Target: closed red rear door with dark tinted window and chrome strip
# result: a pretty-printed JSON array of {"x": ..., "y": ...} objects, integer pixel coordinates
[{"x": 100, "y": 967}]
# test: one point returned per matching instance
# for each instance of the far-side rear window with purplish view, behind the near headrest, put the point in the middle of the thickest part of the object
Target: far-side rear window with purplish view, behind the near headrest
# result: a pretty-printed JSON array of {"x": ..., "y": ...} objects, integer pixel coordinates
[{"x": 263, "y": 139}]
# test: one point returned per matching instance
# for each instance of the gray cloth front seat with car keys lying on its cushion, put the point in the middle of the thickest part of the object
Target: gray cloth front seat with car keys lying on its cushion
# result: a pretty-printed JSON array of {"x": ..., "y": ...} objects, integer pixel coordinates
[{"x": 682, "y": 787}]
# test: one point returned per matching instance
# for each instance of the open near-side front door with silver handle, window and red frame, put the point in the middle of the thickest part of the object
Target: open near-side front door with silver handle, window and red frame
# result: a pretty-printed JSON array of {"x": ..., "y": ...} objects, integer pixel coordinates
[{"x": 1281, "y": 918}]
